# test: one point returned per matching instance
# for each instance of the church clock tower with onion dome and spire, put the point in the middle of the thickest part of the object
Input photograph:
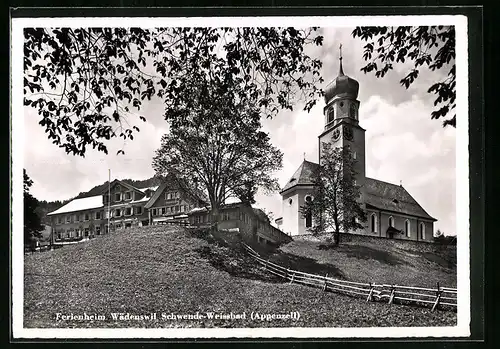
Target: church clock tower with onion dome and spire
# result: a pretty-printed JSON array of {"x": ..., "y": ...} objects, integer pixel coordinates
[{"x": 342, "y": 119}]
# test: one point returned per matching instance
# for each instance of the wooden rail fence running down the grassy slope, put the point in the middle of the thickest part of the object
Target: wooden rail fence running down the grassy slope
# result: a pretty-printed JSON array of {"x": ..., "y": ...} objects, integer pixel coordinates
[{"x": 443, "y": 297}]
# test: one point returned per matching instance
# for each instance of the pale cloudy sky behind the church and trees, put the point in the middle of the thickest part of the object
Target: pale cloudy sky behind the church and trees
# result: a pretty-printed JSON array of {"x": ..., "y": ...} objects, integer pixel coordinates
[{"x": 403, "y": 144}]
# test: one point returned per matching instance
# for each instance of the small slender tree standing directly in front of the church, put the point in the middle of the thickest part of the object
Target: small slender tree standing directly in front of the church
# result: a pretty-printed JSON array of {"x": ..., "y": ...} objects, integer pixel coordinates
[{"x": 335, "y": 203}]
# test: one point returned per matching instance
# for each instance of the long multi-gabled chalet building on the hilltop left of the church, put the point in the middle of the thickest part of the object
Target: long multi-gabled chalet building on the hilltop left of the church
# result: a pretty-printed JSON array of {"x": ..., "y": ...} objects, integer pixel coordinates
[{"x": 128, "y": 206}]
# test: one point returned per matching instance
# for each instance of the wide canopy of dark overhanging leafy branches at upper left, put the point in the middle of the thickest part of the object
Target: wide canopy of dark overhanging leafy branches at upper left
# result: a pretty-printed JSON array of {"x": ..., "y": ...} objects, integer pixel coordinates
[{"x": 85, "y": 82}]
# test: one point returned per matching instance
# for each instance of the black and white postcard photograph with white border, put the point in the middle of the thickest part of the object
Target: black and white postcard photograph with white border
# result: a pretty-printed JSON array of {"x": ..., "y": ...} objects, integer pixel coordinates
[{"x": 258, "y": 177}]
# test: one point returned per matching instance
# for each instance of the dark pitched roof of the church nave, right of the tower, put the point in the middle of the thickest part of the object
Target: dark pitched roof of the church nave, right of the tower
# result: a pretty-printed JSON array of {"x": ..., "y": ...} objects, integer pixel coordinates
[{"x": 391, "y": 197}]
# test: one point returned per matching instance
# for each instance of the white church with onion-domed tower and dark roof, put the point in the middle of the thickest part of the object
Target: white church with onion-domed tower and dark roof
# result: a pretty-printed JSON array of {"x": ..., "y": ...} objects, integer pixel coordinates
[{"x": 391, "y": 210}]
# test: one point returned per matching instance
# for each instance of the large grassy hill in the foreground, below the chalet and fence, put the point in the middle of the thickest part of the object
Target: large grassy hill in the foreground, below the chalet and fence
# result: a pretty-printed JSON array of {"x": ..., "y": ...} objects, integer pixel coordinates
[{"x": 169, "y": 270}]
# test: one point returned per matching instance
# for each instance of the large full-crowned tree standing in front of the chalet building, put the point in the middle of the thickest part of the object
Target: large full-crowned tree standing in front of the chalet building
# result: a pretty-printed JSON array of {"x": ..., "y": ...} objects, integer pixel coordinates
[{"x": 219, "y": 148}]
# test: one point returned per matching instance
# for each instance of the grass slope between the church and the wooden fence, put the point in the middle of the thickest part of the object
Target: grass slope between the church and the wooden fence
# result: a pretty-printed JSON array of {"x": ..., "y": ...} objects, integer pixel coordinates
[{"x": 365, "y": 261}]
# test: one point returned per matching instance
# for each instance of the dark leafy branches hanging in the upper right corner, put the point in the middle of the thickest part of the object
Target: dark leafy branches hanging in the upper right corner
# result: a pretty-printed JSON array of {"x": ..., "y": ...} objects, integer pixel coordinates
[{"x": 433, "y": 47}]
